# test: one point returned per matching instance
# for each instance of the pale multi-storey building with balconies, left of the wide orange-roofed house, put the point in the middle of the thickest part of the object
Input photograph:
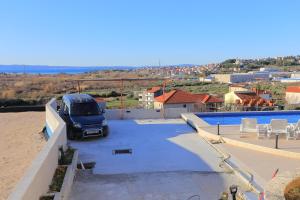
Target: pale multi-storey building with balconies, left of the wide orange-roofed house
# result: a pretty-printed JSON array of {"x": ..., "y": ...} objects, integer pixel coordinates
[{"x": 146, "y": 98}]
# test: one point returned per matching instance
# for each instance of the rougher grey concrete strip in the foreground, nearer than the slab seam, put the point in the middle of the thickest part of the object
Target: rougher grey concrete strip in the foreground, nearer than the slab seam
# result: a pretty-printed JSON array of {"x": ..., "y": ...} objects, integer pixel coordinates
[{"x": 179, "y": 185}]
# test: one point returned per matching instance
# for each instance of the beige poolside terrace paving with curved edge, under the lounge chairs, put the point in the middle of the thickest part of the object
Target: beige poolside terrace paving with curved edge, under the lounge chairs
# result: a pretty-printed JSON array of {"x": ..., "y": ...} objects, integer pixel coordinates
[{"x": 261, "y": 163}]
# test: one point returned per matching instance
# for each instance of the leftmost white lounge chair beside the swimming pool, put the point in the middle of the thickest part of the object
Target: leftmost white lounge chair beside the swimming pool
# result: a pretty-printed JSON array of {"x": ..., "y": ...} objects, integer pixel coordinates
[{"x": 249, "y": 125}]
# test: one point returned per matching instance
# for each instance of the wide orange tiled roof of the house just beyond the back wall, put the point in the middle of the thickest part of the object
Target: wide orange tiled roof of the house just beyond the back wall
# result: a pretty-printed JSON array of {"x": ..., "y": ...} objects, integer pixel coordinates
[{"x": 179, "y": 96}]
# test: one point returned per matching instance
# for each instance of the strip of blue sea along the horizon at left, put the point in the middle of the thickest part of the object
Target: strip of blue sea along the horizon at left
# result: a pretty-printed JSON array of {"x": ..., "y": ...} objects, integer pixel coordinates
[{"x": 42, "y": 69}]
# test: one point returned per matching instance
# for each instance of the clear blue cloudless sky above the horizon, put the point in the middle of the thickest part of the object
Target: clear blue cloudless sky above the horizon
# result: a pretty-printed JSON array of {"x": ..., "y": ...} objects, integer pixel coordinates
[{"x": 141, "y": 32}]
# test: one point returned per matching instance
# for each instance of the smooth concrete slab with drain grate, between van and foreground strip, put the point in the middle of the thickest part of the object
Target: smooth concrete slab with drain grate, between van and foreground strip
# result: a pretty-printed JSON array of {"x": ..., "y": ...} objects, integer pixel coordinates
[{"x": 155, "y": 147}]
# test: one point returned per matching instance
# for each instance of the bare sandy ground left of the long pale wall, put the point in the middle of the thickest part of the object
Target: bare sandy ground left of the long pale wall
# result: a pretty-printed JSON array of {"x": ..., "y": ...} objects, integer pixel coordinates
[{"x": 20, "y": 142}]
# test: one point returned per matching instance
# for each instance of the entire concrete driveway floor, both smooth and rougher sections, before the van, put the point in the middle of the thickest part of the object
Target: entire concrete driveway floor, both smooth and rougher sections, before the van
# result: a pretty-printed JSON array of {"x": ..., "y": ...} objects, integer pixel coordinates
[{"x": 168, "y": 161}]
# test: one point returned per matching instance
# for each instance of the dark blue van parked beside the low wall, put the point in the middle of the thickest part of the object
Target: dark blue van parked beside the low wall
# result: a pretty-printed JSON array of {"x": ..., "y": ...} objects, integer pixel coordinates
[{"x": 83, "y": 116}]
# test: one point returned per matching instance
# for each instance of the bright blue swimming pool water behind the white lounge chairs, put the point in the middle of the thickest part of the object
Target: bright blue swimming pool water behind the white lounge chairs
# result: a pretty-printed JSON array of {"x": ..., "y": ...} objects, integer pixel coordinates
[{"x": 234, "y": 118}]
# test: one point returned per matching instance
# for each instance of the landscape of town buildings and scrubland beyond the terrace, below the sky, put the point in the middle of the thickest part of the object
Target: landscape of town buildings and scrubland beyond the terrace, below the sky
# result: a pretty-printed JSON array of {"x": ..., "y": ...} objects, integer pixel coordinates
[{"x": 232, "y": 85}]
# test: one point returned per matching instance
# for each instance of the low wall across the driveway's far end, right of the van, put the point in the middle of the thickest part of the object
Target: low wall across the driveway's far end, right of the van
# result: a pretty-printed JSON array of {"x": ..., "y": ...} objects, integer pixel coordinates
[{"x": 115, "y": 114}]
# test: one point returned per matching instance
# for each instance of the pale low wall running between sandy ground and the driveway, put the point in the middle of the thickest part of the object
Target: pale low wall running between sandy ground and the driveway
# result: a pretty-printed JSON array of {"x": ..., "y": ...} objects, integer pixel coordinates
[{"x": 38, "y": 177}]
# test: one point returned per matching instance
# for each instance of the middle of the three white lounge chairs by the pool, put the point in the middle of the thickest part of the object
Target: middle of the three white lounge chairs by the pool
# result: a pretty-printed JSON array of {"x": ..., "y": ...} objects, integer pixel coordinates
[{"x": 278, "y": 126}]
